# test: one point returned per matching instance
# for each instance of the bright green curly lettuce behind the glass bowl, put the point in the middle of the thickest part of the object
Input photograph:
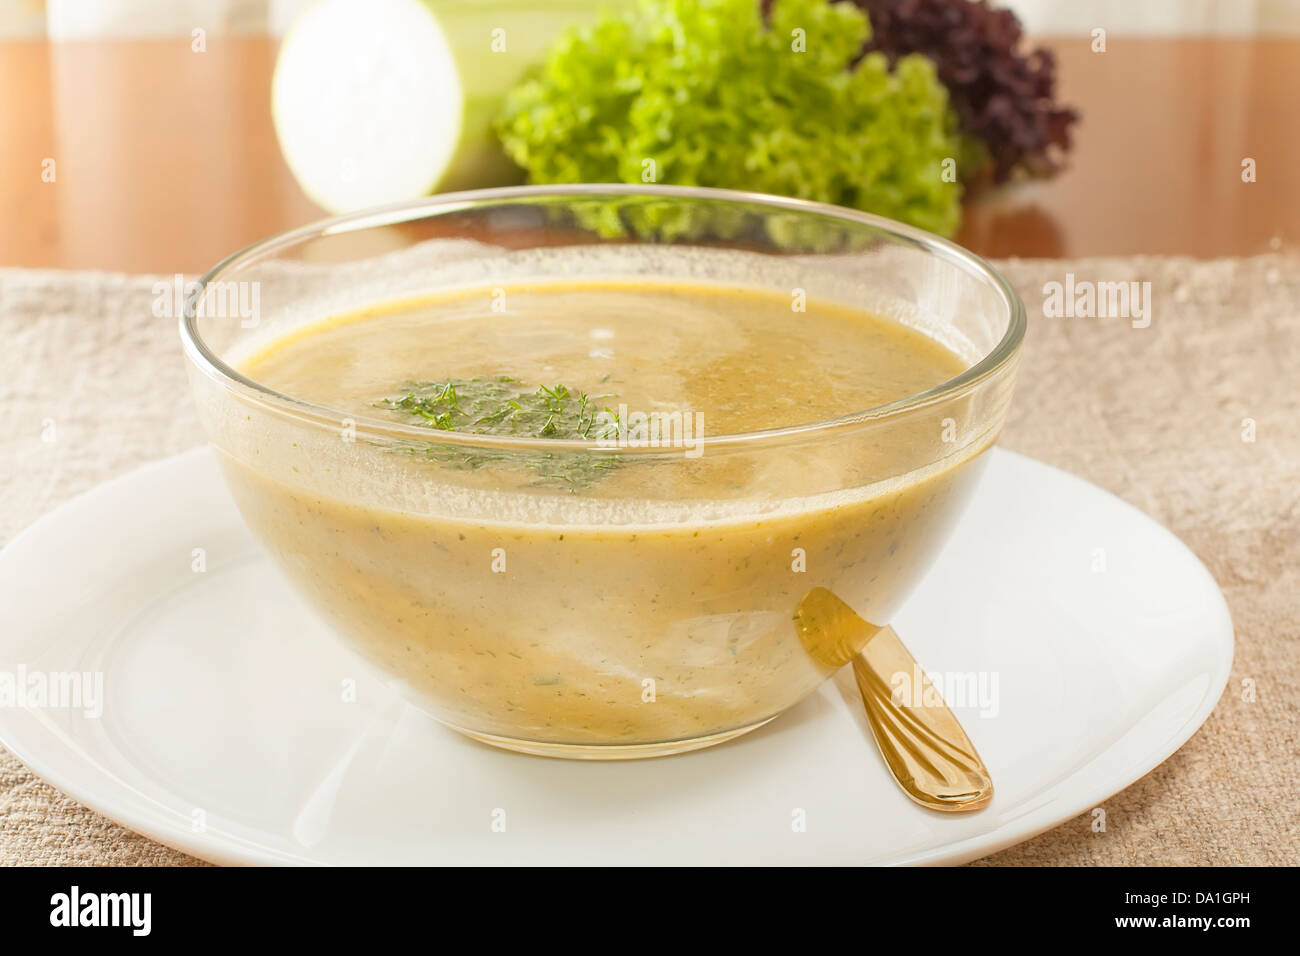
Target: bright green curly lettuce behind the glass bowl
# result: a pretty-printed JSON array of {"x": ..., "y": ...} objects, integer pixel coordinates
[{"x": 704, "y": 93}]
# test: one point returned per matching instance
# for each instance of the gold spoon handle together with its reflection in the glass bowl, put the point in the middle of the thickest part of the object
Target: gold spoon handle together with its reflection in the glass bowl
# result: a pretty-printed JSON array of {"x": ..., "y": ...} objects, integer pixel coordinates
[{"x": 926, "y": 749}]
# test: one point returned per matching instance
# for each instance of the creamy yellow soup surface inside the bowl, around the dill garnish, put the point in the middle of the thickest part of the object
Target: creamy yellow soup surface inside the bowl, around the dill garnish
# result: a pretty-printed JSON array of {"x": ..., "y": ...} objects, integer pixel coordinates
[{"x": 746, "y": 361}]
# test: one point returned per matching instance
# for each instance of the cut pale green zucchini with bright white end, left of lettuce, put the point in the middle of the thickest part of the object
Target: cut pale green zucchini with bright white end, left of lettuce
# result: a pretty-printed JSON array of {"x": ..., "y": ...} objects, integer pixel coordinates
[{"x": 379, "y": 101}]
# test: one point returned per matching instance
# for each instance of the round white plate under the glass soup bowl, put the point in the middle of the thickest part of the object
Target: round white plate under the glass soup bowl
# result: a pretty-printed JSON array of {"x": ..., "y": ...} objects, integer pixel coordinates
[{"x": 224, "y": 732}]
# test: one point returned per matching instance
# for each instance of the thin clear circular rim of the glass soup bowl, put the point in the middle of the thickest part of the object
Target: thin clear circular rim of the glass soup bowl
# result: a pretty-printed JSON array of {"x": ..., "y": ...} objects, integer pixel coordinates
[{"x": 395, "y": 214}]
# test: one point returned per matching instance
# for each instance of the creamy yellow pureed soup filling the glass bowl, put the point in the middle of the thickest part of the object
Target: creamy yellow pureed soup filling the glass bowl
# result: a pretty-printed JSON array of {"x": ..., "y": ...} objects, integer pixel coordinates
[{"x": 610, "y": 599}]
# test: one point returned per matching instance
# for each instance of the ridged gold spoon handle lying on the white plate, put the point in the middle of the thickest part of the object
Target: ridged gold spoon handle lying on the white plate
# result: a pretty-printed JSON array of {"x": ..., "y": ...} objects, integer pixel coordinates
[{"x": 925, "y": 746}]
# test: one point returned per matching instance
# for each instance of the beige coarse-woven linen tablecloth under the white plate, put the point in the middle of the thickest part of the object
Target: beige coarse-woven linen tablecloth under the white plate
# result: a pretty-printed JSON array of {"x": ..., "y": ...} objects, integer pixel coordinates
[{"x": 1152, "y": 414}]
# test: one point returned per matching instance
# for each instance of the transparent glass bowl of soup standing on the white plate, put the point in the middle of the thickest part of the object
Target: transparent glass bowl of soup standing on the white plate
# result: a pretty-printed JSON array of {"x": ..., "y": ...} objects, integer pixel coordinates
[{"x": 577, "y": 622}]
